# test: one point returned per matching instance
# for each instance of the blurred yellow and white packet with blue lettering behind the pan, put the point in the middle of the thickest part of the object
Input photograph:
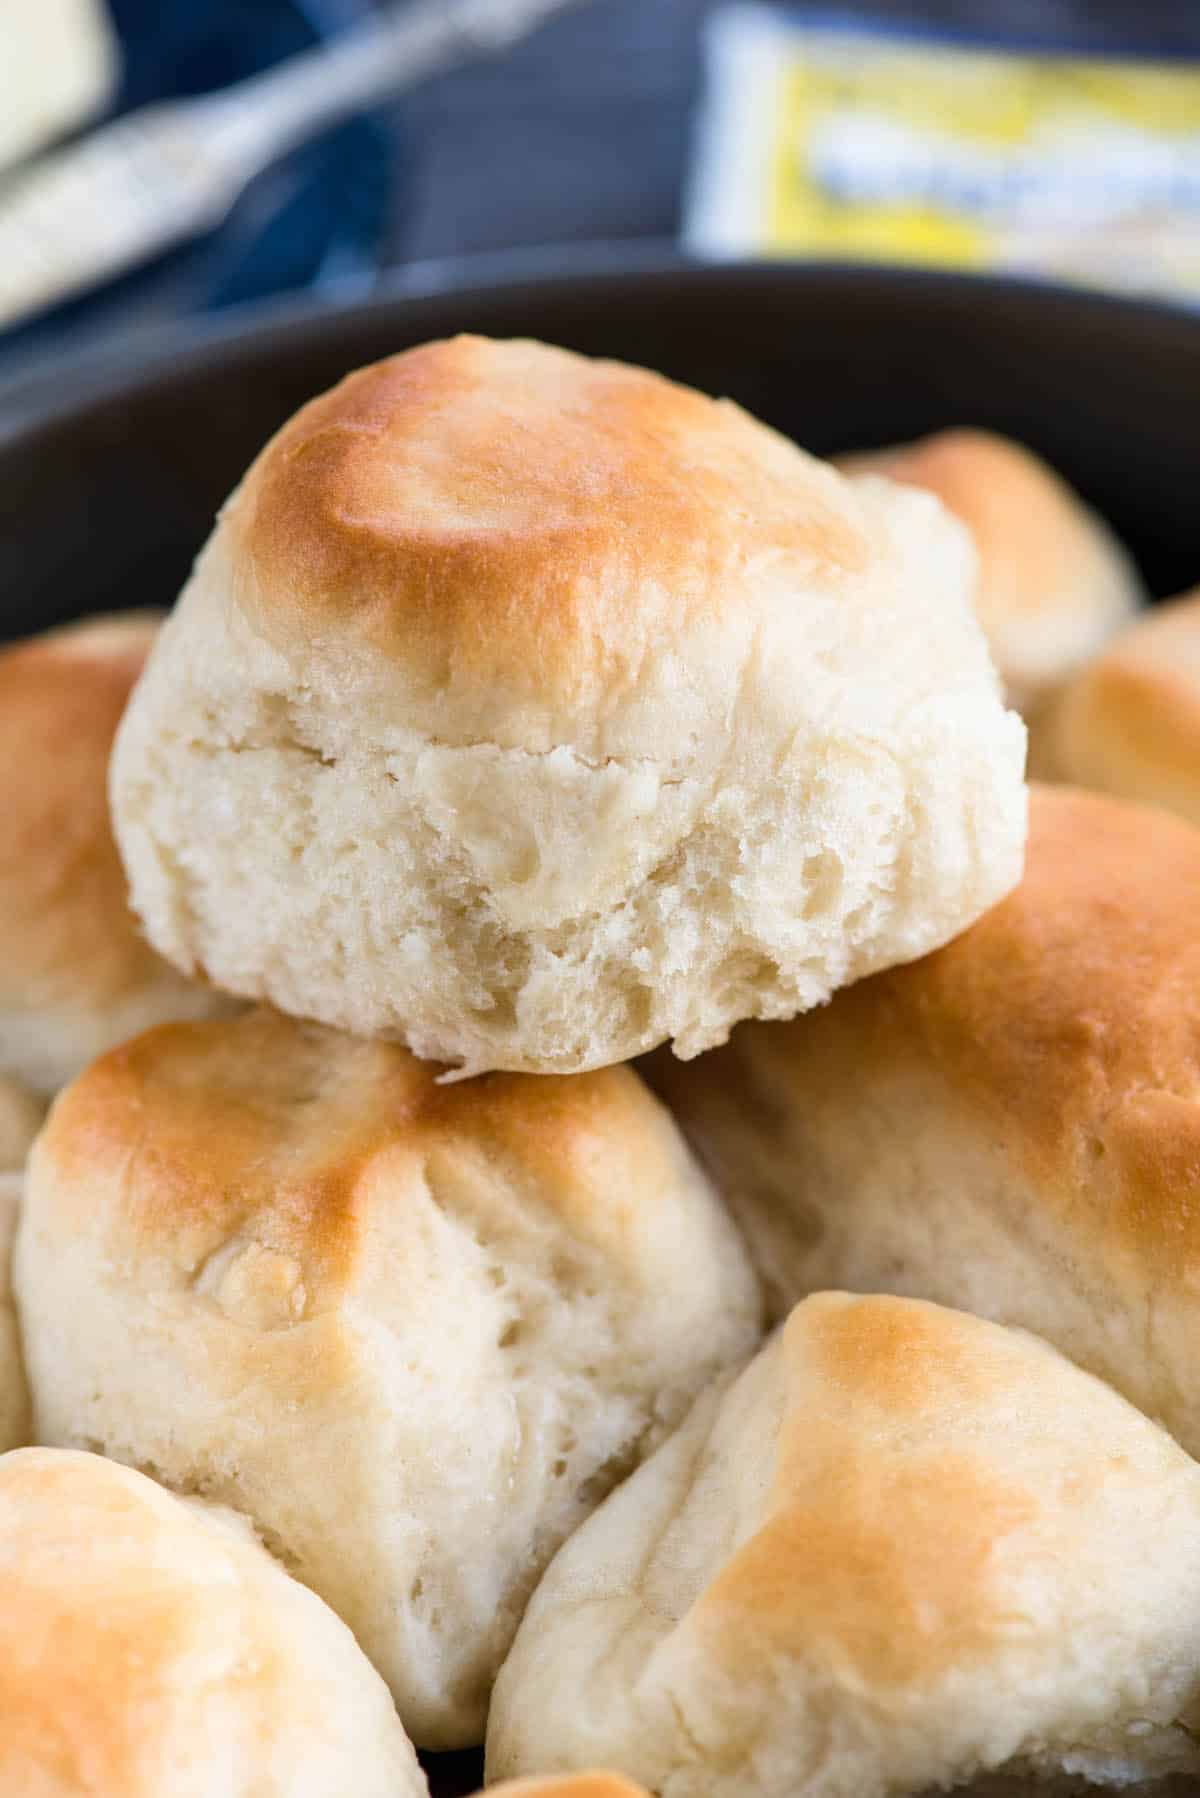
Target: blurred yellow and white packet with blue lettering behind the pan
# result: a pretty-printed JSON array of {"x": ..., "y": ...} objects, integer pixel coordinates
[{"x": 828, "y": 139}]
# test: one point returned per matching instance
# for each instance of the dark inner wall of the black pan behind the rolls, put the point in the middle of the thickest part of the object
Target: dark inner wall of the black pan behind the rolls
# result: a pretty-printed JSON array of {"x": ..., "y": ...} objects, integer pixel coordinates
[{"x": 111, "y": 479}]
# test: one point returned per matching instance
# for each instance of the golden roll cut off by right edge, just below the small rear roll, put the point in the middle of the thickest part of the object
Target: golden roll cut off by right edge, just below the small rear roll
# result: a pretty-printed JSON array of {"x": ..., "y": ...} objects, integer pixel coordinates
[{"x": 1131, "y": 722}]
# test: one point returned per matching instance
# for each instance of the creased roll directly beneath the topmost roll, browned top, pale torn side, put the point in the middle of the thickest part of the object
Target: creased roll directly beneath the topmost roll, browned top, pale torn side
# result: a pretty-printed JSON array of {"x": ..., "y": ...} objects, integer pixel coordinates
[{"x": 415, "y": 1331}]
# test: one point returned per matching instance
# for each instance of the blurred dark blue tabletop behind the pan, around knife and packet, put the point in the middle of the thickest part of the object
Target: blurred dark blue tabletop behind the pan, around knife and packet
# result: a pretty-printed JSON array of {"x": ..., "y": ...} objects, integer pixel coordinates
[{"x": 578, "y": 134}]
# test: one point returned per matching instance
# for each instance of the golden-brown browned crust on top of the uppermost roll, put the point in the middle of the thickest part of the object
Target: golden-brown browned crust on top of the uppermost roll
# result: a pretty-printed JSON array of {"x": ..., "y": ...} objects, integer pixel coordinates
[{"x": 521, "y": 533}]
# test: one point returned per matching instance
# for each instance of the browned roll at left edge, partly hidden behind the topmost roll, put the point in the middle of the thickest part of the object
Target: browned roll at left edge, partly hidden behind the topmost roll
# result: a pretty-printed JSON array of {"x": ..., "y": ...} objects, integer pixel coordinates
[{"x": 76, "y": 975}]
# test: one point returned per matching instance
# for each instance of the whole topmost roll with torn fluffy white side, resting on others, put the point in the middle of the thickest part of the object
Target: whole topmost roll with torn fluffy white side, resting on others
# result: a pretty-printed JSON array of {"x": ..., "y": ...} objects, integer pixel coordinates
[{"x": 532, "y": 711}]
